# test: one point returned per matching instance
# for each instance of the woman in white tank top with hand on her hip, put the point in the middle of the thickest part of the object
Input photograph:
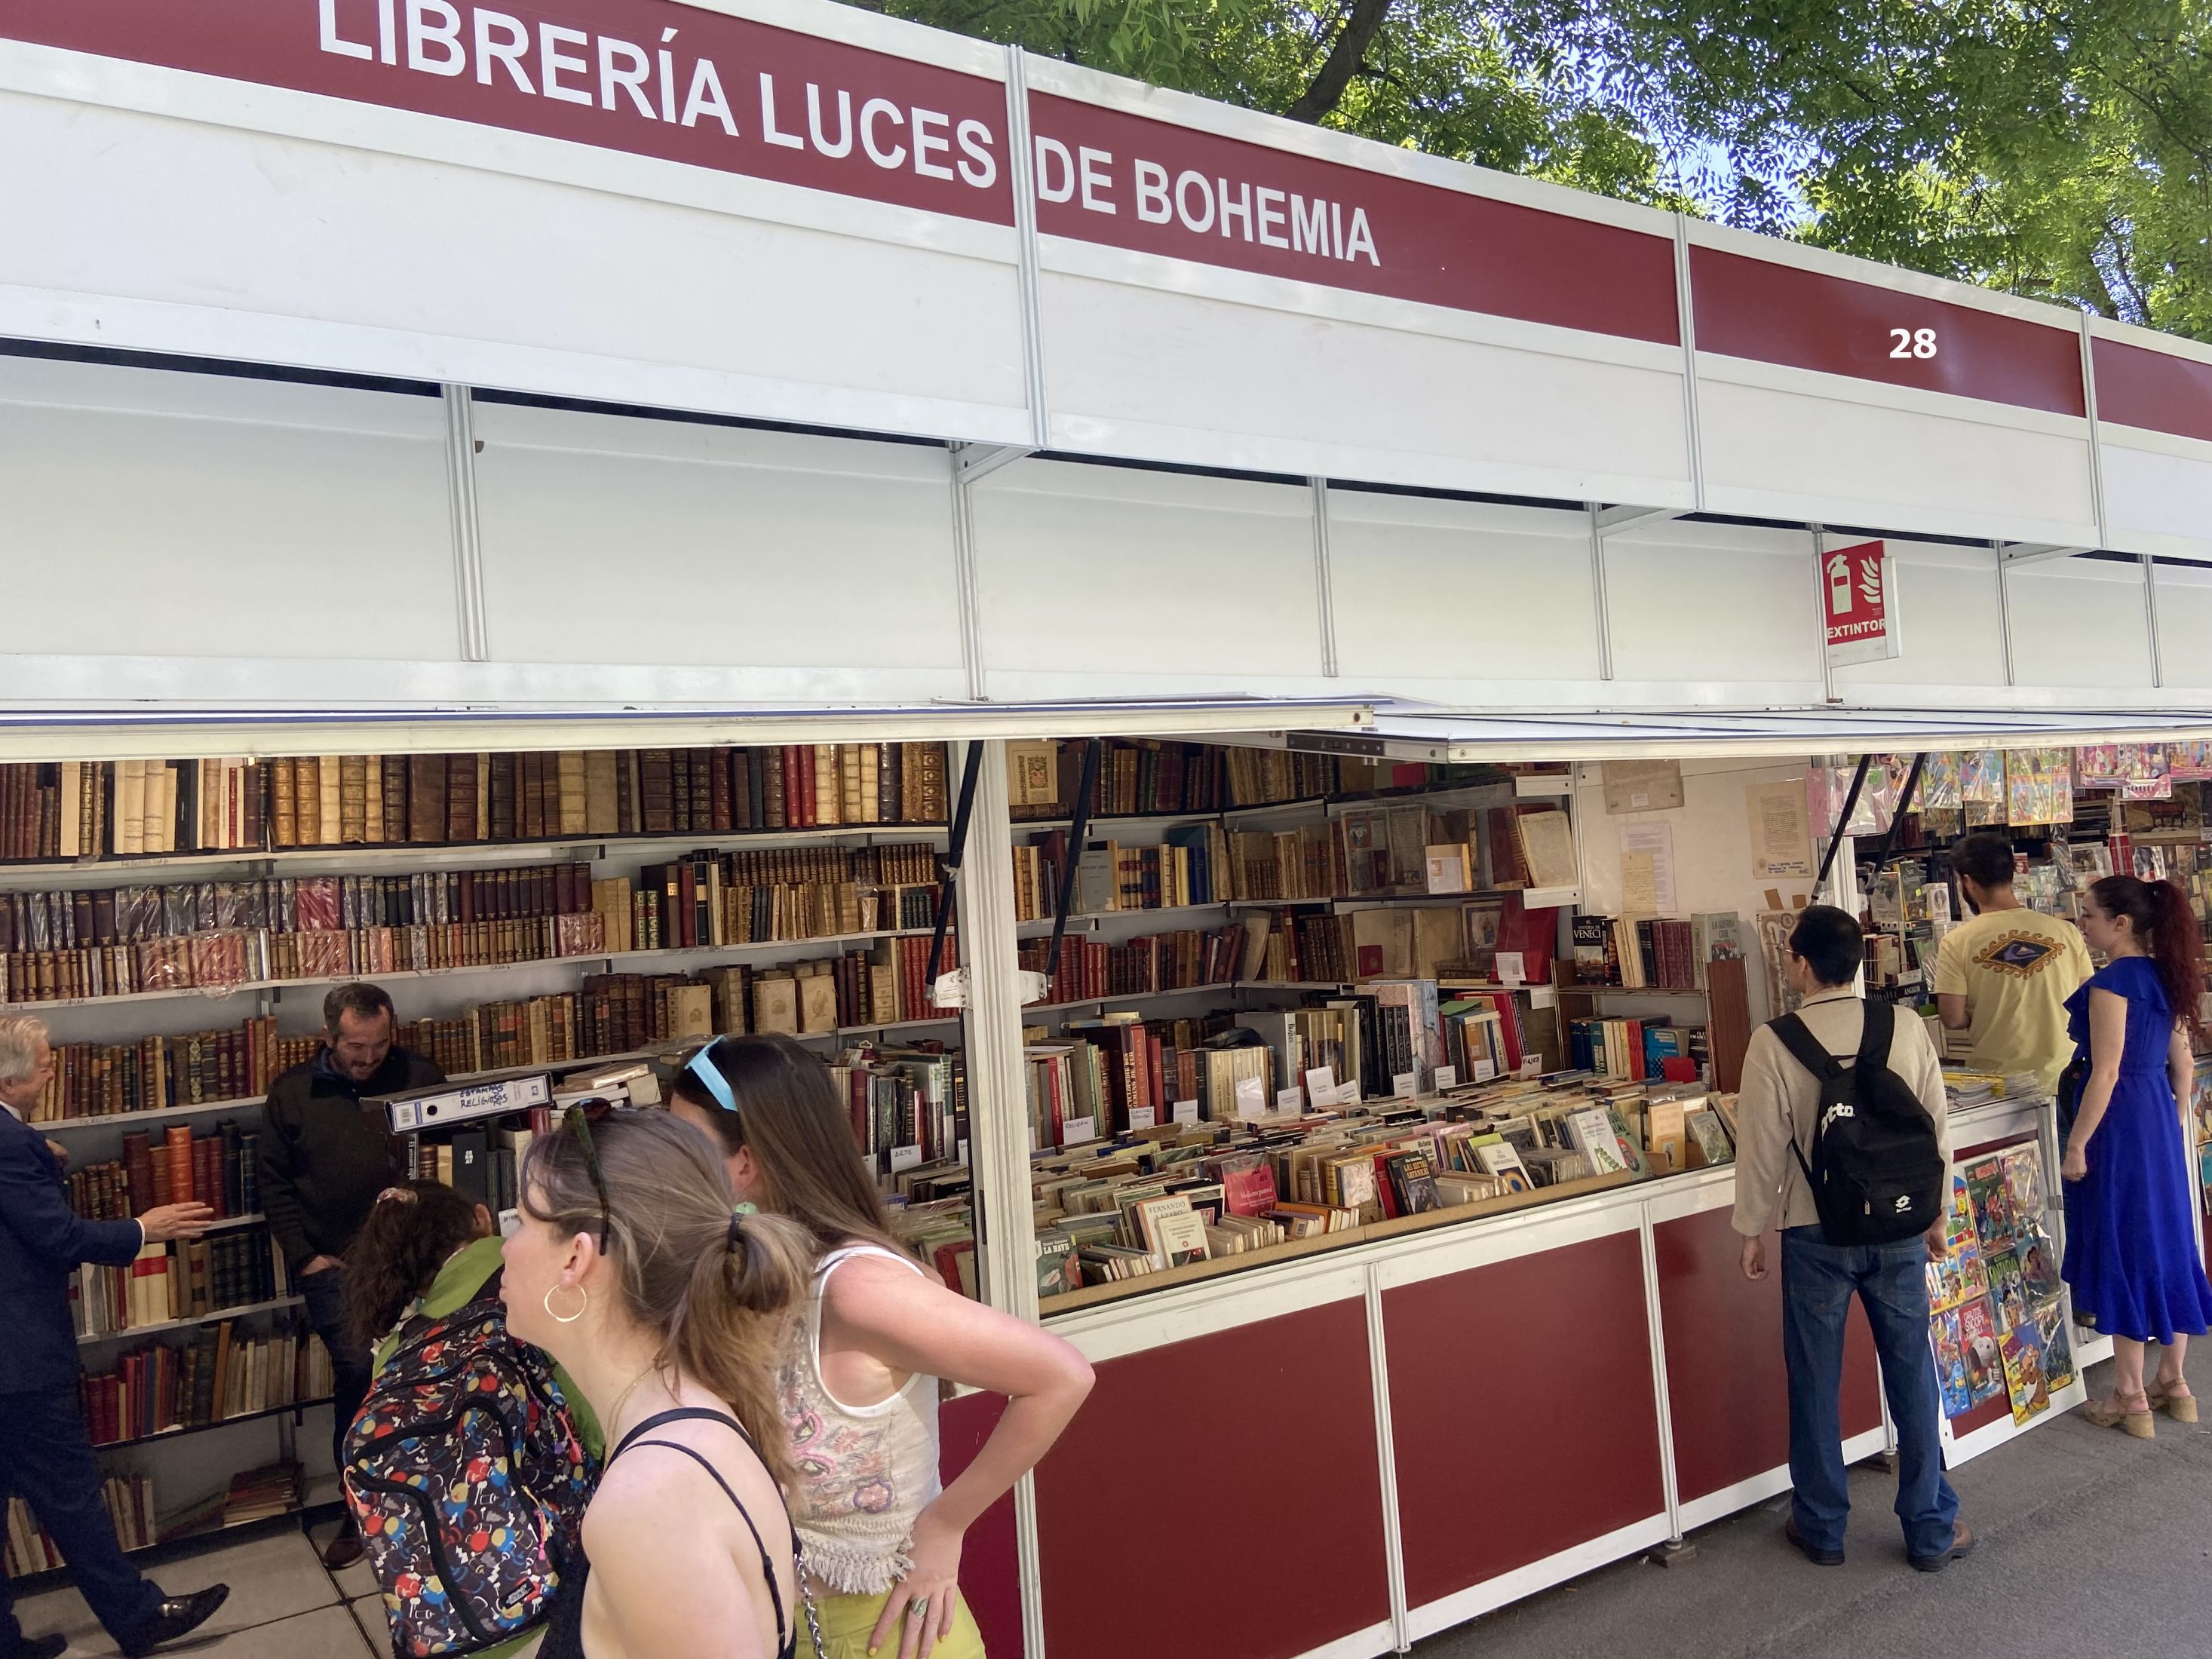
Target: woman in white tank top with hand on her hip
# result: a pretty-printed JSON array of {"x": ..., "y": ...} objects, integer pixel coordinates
[{"x": 859, "y": 1386}]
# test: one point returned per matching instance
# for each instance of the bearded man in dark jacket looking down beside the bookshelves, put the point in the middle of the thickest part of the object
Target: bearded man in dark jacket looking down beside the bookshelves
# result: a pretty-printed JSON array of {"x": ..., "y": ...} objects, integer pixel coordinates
[{"x": 322, "y": 1167}]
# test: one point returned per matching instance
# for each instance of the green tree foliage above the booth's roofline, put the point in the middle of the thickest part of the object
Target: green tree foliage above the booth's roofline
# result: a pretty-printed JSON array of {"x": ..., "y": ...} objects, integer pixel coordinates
[{"x": 2058, "y": 149}]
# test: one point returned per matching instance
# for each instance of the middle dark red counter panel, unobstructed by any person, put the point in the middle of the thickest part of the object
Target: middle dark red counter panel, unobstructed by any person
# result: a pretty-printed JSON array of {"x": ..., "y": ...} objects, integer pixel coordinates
[{"x": 1523, "y": 1412}]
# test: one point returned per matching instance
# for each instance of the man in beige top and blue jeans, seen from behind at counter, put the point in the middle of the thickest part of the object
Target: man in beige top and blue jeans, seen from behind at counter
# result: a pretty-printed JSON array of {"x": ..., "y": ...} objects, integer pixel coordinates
[{"x": 1780, "y": 1103}]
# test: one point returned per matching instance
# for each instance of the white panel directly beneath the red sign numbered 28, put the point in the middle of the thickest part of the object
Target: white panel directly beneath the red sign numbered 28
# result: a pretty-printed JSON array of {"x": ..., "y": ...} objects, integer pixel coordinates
[{"x": 1780, "y": 444}]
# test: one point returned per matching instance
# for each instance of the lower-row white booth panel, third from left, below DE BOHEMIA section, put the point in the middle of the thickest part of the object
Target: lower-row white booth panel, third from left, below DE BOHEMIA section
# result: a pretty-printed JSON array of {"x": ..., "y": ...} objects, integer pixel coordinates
[{"x": 1112, "y": 576}]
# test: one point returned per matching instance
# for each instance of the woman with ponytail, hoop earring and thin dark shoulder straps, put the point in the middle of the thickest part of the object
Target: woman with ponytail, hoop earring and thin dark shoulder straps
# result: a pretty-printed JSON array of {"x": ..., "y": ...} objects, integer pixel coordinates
[{"x": 667, "y": 1306}]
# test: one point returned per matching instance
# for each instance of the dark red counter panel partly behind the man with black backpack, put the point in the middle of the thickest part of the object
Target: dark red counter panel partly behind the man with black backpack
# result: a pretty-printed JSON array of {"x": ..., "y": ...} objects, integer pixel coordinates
[{"x": 1729, "y": 1390}]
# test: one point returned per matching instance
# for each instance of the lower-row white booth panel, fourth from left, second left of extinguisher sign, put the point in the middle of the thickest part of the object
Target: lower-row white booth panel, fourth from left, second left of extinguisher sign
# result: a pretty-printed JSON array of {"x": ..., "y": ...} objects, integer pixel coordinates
[{"x": 1430, "y": 592}]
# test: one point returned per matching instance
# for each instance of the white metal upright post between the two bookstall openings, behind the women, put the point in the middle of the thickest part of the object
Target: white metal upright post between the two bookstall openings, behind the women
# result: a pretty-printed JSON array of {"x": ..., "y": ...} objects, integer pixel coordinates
[{"x": 999, "y": 1105}]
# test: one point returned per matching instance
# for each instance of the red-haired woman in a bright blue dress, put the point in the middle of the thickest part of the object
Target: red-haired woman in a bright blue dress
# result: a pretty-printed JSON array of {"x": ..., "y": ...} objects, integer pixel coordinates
[{"x": 2131, "y": 1222}]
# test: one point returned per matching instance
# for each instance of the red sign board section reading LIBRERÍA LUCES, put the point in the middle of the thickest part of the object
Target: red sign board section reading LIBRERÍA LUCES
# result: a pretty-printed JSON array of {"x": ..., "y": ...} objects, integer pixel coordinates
[{"x": 643, "y": 76}]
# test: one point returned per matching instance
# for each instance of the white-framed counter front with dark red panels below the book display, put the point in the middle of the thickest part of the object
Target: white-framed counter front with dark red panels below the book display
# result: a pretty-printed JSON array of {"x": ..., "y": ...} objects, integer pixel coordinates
[{"x": 1366, "y": 1446}]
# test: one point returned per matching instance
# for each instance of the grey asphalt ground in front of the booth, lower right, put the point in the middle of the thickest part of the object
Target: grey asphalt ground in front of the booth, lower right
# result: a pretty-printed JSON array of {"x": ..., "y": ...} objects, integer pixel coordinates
[{"x": 2089, "y": 1541}]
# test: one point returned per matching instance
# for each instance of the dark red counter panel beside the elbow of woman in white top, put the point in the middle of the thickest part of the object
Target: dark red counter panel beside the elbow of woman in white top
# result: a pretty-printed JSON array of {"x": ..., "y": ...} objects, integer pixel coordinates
[{"x": 1220, "y": 1499}]
